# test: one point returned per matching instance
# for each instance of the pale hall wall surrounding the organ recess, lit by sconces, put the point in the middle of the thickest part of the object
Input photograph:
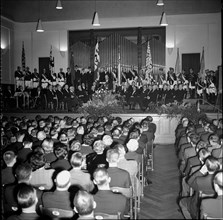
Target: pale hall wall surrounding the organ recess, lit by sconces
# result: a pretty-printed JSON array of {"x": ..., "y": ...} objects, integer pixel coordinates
[{"x": 187, "y": 32}]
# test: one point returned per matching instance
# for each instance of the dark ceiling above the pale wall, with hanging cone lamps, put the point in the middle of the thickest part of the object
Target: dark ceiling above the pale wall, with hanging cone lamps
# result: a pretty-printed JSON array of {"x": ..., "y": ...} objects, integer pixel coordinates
[{"x": 31, "y": 10}]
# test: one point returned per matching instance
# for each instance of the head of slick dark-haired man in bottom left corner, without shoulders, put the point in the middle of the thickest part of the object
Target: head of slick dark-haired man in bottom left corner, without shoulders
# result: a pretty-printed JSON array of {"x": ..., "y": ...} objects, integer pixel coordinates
[{"x": 26, "y": 195}]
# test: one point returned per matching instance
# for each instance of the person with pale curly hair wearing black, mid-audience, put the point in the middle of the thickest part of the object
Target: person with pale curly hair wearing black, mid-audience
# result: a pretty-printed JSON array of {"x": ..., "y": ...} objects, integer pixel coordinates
[{"x": 97, "y": 158}]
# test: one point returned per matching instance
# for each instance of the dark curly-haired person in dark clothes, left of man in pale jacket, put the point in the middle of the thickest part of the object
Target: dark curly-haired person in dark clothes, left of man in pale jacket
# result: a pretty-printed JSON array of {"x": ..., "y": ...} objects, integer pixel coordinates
[{"x": 61, "y": 153}]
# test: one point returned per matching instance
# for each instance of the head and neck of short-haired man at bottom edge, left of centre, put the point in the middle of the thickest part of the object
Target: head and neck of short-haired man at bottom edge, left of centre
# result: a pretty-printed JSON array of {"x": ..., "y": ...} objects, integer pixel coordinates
[{"x": 84, "y": 205}]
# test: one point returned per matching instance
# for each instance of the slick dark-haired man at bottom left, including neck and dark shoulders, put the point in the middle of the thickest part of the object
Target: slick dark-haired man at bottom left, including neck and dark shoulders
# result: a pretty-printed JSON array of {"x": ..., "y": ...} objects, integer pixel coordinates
[{"x": 27, "y": 201}]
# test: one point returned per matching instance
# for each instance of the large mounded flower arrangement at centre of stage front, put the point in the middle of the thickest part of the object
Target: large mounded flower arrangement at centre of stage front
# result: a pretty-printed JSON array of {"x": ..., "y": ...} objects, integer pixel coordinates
[{"x": 103, "y": 103}]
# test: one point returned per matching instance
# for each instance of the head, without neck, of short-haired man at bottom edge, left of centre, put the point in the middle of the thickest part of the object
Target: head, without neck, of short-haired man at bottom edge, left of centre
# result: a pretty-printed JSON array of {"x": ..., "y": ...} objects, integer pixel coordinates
[{"x": 84, "y": 203}]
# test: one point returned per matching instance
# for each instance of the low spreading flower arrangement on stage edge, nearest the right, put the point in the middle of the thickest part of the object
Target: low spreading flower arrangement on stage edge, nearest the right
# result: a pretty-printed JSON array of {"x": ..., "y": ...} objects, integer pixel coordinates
[{"x": 184, "y": 110}]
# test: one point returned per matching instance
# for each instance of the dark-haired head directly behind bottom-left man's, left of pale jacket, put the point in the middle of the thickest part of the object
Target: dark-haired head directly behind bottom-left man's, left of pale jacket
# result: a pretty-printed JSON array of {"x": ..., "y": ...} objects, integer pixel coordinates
[{"x": 23, "y": 172}]
